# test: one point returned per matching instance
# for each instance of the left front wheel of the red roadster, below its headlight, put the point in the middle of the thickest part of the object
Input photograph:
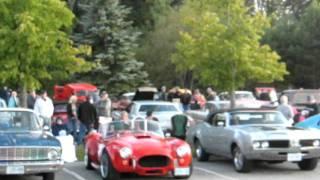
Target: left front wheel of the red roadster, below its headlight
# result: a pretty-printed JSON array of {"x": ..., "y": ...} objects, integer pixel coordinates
[{"x": 107, "y": 171}]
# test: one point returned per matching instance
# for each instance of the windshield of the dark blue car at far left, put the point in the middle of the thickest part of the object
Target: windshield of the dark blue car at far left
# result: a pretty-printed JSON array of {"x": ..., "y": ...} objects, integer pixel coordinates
[{"x": 18, "y": 121}]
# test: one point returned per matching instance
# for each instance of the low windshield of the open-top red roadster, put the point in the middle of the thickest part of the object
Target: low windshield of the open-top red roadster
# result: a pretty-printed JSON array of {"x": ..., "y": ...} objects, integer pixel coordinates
[{"x": 134, "y": 126}]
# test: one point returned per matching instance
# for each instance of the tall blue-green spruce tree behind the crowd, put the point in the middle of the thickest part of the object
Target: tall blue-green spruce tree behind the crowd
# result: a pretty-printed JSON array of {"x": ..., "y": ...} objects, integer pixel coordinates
[{"x": 102, "y": 24}]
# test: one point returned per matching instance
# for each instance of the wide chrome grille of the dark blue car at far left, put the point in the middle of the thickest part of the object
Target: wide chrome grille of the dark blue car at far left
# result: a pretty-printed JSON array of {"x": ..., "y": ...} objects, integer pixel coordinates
[{"x": 23, "y": 153}]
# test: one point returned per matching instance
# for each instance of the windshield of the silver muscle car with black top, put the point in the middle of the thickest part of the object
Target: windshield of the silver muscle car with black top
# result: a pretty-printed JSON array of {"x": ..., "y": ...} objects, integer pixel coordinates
[{"x": 246, "y": 118}]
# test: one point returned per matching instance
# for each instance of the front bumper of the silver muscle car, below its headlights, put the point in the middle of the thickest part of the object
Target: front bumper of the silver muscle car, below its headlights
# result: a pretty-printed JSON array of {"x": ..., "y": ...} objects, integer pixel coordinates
[{"x": 281, "y": 154}]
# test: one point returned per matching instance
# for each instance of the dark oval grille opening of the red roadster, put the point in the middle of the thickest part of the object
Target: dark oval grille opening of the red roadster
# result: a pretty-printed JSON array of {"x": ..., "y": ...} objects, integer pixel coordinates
[{"x": 154, "y": 161}]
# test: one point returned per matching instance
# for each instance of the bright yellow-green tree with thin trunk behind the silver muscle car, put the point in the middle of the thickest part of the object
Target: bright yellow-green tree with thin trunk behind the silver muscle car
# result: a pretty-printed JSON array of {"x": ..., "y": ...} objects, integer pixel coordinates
[{"x": 222, "y": 45}]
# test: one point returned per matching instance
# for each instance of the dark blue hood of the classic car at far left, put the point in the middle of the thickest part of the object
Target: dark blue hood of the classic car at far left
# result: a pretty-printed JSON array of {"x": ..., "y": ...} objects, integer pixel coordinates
[{"x": 27, "y": 139}]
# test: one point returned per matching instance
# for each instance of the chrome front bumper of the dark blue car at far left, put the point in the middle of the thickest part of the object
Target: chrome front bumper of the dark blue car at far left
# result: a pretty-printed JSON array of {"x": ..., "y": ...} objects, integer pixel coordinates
[{"x": 37, "y": 167}]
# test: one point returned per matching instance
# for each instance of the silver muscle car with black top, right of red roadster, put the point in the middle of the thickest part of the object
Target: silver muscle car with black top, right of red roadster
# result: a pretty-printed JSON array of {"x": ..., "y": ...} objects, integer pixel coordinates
[{"x": 247, "y": 135}]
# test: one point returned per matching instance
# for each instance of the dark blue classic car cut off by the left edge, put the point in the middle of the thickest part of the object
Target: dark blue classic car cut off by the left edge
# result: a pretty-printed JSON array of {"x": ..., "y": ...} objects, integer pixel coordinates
[{"x": 25, "y": 147}]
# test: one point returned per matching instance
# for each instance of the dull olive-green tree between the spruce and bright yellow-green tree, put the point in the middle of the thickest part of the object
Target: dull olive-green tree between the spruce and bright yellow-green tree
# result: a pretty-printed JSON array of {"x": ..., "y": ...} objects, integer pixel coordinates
[{"x": 156, "y": 51}]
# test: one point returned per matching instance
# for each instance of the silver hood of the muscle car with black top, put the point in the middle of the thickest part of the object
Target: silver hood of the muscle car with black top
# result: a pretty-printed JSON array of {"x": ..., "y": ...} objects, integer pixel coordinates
[{"x": 260, "y": 132}]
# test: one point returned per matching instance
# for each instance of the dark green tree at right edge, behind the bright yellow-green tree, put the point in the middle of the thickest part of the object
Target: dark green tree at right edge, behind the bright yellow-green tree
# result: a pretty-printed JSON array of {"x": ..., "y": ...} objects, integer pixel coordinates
[{"x": 297, "y": 41}]
